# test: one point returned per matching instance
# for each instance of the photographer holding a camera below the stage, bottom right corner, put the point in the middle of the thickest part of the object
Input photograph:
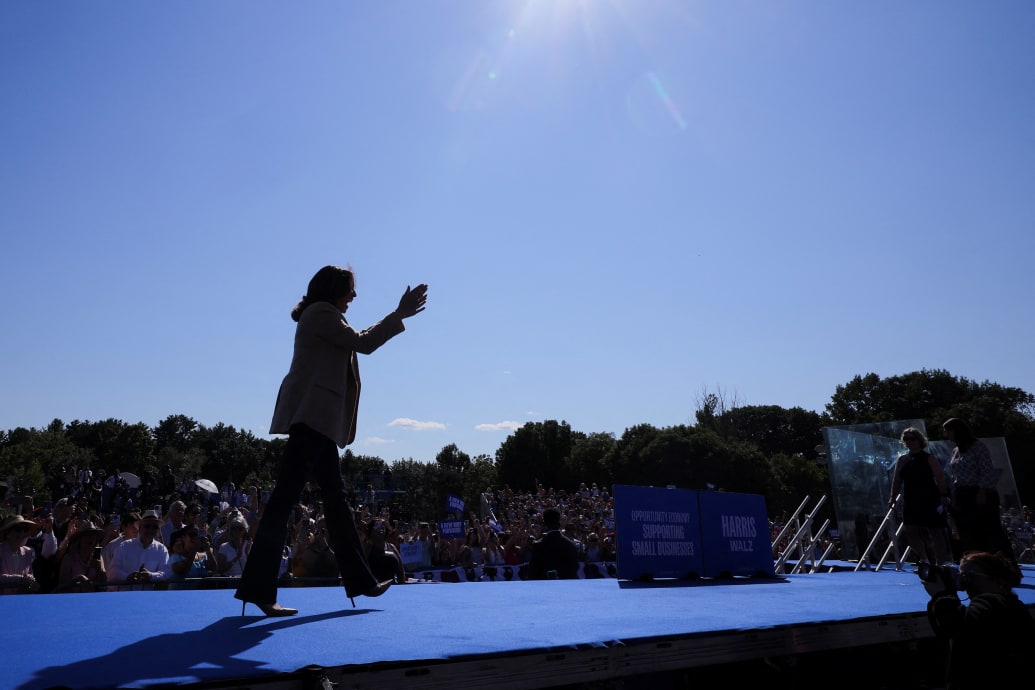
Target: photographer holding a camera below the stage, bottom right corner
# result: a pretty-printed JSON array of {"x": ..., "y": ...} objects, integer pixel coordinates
[{"x": 992, "y": 638}]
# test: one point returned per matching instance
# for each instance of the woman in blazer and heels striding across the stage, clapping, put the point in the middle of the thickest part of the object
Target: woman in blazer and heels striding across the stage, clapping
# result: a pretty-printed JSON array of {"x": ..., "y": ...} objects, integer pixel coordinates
[{"x": 317, "y": 408}]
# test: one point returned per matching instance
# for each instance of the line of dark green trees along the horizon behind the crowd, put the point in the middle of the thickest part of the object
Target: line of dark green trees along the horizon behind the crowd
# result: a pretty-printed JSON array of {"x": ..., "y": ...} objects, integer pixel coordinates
[{"x": 755, "y": 449}]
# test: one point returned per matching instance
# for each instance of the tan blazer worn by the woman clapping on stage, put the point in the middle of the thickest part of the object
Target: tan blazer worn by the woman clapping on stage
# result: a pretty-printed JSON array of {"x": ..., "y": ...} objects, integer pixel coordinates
[{"x": 322, "y": 387}]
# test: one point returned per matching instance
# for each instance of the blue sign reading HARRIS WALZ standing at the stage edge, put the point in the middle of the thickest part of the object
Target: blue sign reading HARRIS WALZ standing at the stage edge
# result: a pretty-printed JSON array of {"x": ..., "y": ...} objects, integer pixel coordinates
[{"x": 735, "y": 535}]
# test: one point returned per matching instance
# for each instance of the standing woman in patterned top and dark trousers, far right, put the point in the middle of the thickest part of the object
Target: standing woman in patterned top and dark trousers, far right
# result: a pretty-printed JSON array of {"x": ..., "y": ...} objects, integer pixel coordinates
[{"x": 974, "y": 502}]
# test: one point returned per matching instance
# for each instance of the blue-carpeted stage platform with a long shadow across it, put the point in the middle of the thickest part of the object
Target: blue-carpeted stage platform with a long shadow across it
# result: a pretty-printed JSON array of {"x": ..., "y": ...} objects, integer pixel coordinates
[{"x": 869, "y": 628}]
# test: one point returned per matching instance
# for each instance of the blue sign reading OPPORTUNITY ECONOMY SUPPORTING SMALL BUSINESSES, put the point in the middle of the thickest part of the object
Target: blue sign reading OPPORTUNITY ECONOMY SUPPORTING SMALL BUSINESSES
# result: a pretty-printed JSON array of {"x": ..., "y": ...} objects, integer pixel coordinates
[{"x": 658, "y": 532}]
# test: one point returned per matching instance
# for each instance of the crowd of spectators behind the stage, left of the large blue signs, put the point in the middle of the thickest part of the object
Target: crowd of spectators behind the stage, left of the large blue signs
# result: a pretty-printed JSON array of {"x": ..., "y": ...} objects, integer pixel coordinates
[{"x": 76, "y": 546}]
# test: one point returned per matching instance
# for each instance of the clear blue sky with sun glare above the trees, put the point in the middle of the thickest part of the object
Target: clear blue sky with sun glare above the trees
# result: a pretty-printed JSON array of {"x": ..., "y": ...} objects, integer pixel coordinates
[{"x": 618, "y": 205}]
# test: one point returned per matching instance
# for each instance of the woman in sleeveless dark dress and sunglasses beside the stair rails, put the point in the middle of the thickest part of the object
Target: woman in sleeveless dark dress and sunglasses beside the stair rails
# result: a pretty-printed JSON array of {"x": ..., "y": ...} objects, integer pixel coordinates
[{"x": 920, "y": 478}]
